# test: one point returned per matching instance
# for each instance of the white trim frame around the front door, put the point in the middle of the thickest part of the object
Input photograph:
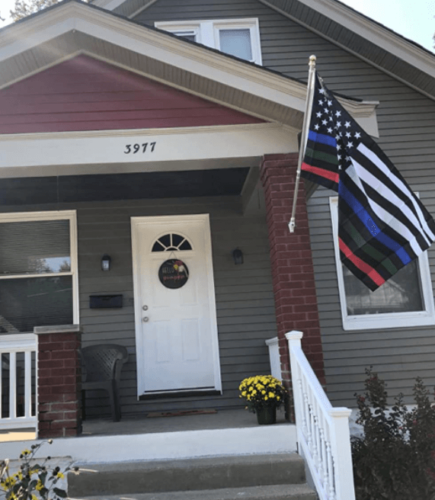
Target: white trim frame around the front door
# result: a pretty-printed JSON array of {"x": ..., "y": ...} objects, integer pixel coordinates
[{"x": 136, "y": 222}]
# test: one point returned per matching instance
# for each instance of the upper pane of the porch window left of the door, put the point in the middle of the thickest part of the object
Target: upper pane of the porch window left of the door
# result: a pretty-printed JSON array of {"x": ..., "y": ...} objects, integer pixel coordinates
[{"x": 35, "y": 247}]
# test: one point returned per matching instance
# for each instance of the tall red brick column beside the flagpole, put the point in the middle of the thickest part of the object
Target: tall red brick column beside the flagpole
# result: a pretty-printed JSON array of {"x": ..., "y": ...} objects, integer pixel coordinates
[{"x": 292, "y": 262}]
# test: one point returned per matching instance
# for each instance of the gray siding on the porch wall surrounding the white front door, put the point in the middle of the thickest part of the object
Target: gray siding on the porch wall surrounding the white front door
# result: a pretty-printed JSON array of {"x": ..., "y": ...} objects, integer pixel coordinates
[{"x": 244, "y": 295}]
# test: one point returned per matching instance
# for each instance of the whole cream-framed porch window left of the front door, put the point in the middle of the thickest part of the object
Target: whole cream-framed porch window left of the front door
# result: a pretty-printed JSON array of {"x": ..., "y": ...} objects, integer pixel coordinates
[{"x": 38, "y": 270}]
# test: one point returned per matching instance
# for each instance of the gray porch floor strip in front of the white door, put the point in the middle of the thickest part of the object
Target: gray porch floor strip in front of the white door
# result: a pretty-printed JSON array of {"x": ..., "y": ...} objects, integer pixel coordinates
[{"x": 224, "y": 419}]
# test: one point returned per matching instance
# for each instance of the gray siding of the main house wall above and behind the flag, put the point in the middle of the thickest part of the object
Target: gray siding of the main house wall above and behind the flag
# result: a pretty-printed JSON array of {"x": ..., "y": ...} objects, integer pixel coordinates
[{"x": 407, "y": 133}]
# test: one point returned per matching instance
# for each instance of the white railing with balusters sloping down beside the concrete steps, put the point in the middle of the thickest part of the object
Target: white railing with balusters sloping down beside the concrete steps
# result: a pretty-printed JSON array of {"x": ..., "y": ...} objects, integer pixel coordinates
[{"x": 322, "y": 431}]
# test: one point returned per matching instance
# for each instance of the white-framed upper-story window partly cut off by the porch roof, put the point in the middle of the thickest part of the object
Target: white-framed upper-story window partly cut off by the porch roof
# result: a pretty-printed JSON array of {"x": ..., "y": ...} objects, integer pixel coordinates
[{"x": 236, "y": 37}]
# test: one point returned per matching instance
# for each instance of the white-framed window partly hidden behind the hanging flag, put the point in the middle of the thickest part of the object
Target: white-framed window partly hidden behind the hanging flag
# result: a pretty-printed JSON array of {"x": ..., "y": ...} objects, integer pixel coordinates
[{"x": 405, "y": 300}]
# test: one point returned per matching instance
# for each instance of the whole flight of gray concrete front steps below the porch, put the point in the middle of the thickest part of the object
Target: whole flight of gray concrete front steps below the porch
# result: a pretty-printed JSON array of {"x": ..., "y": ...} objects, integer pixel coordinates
[{"x": 253, "y": 477}]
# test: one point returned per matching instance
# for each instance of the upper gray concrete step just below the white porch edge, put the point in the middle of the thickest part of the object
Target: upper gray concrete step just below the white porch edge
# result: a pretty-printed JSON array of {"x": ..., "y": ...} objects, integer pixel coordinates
[{"x": 188, "y": 475}]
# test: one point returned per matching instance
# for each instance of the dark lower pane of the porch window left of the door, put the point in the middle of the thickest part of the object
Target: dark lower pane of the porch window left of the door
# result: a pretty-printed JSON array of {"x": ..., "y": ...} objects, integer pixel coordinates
[{"x": 29, "y": 302}]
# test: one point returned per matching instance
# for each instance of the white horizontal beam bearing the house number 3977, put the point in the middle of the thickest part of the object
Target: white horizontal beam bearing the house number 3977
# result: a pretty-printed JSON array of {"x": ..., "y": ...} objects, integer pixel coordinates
[{"x": 65, "y": 153}]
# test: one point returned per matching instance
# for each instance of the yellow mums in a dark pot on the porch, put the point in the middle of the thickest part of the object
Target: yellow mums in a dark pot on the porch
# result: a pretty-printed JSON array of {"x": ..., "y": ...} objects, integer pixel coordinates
[{"x": 263, "y": 395}]
